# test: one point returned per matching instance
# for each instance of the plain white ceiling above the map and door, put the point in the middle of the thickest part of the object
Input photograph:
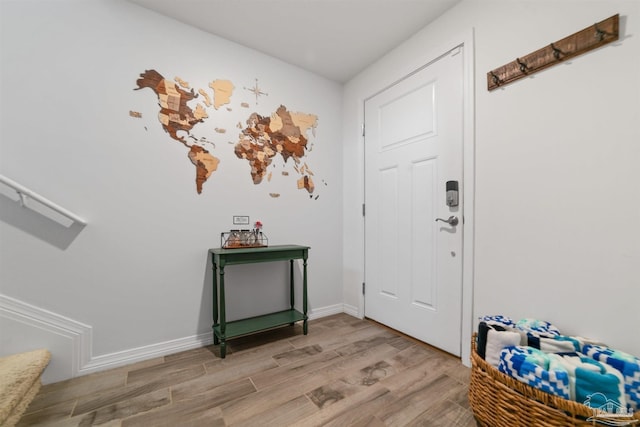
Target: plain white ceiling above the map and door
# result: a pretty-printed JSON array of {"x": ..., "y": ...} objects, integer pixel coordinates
[{"x": 334, "y": 38}]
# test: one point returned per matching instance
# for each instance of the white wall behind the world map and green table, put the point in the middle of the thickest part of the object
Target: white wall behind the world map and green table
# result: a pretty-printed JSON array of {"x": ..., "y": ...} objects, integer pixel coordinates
[{"x": 138, "y": 274}]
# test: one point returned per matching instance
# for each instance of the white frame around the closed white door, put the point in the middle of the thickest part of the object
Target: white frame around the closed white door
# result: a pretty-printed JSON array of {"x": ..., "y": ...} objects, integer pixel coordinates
[{"x": 465, "y": 40}]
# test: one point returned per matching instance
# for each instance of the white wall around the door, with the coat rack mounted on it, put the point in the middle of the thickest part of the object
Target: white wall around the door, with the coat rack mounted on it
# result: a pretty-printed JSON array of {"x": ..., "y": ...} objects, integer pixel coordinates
[{"x": 557, "y": 183}]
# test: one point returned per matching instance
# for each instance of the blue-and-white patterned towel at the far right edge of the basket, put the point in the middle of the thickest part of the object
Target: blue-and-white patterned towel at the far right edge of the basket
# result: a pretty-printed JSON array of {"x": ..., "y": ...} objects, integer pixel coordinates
[{"x": 628, "y": 365}]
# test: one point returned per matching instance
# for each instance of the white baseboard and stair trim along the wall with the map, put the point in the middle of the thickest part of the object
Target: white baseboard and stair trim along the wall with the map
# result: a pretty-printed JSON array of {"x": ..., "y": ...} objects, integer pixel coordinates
[{"x": 62, "y": 332}]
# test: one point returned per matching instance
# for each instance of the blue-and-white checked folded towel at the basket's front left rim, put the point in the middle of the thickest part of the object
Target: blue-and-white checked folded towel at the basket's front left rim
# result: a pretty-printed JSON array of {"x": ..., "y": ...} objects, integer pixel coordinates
[{"x": 532, "y": 366}]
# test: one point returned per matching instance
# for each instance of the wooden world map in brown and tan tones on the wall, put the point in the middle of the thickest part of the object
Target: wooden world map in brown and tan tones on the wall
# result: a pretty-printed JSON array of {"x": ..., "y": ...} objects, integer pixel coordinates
[{"x": 263, "y": 140}]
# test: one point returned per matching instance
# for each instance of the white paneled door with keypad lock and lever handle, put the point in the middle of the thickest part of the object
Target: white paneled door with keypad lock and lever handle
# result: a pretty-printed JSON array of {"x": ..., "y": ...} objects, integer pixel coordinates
[{"x": 413, "y": 146}]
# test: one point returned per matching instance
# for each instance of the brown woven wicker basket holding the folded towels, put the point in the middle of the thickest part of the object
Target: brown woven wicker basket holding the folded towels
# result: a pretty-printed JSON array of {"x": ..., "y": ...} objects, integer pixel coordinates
[{"x": 498, "y": 400}]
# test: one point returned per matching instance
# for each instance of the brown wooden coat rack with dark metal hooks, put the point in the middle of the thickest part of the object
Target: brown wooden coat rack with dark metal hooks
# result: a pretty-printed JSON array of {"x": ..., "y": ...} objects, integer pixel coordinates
[{"x": 576, "y": 44}]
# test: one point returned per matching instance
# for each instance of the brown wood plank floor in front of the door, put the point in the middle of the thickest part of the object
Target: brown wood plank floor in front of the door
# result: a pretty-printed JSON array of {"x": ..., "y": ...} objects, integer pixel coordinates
[{"x": 345, "y": 372}]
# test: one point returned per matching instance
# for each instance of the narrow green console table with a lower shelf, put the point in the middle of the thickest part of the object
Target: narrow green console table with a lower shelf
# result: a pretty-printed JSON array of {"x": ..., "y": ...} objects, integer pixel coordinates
[{"x": 223, "y": 330}]
